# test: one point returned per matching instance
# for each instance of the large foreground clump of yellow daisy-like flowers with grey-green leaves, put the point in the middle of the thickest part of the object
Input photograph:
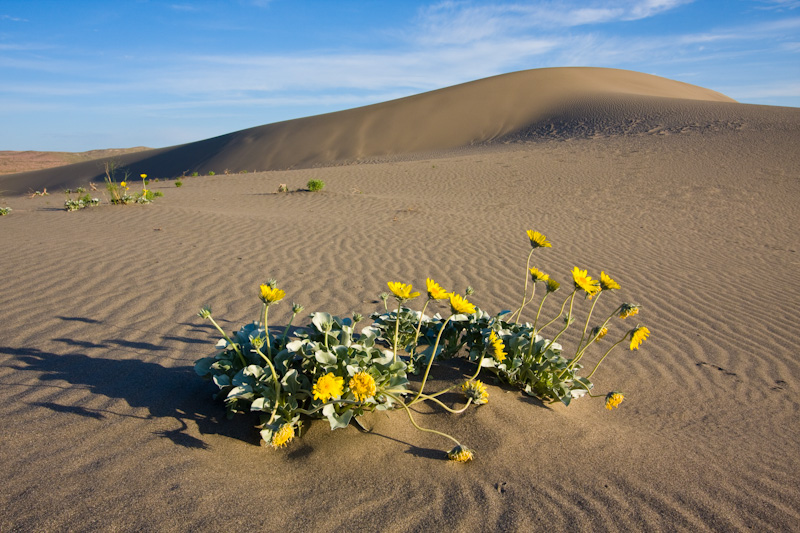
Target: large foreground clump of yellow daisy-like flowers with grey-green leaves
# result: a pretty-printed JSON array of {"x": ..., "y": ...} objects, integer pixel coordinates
[{"x": 329, "y": 370}]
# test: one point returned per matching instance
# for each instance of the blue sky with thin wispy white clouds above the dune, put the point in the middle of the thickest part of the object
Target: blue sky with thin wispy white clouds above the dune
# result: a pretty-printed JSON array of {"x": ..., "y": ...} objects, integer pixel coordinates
[{"x": 78, "y": 75}]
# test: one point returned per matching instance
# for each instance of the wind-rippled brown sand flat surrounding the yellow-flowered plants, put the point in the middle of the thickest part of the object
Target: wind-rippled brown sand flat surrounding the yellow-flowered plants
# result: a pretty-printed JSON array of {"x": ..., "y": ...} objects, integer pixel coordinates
[{"x": 691, "y": 205}]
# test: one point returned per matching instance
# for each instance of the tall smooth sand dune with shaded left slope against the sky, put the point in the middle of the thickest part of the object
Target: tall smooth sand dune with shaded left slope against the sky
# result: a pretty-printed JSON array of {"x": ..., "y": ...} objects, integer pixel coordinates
[{"x": 489, "y": 110}]
